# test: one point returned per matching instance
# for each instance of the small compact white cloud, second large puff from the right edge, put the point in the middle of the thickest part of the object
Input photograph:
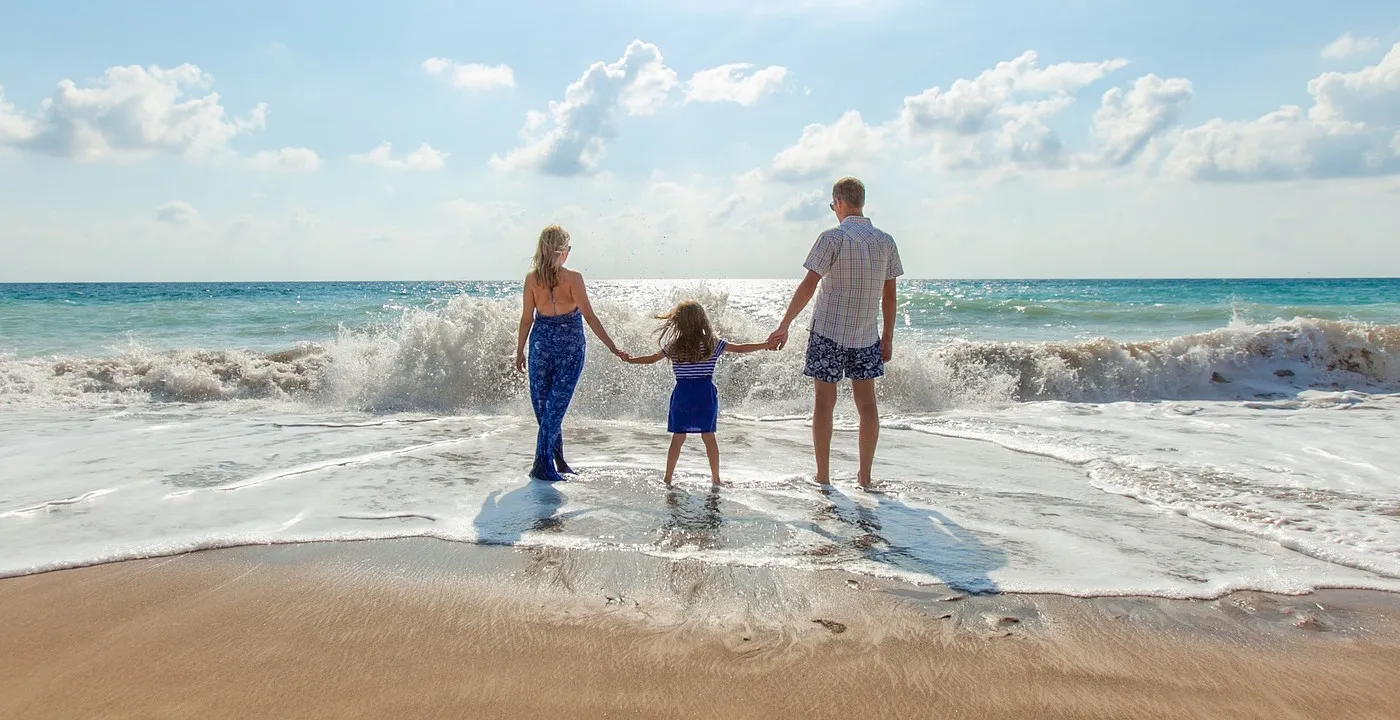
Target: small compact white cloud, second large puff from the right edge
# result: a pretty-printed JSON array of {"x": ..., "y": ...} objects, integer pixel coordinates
[{"x": 1129, "y": 121}]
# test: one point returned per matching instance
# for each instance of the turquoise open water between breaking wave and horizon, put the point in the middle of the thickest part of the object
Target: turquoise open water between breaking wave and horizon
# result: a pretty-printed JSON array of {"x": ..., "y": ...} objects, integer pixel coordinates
[{"x": 90, "y": 320}]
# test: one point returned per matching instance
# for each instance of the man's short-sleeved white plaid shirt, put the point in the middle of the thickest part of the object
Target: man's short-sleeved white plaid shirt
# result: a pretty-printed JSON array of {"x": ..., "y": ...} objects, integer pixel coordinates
[{"x": 855, "y": 260}]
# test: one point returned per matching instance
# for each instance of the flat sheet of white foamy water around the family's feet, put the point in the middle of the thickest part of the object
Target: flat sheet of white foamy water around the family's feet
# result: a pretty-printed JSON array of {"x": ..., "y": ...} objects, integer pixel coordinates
[{"x": 1107, "y": 499}]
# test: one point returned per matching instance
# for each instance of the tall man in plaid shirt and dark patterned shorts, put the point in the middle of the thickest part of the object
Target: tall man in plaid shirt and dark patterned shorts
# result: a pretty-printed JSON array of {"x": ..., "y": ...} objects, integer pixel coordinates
[{"x": 855, "y": 265}]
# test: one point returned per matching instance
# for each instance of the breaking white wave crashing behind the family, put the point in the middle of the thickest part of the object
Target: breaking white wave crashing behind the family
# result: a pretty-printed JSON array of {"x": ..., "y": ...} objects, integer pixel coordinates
[{"x": 460, "y": 359}]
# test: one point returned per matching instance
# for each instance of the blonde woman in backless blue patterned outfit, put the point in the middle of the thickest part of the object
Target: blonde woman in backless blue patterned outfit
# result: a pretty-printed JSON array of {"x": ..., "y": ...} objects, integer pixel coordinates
[{"x": 556, "y": 306}]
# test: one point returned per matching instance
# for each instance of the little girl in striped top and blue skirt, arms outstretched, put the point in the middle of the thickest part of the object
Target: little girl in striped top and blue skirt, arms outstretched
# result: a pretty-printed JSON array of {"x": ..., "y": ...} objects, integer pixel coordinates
[{"x": 688, "y": 341}]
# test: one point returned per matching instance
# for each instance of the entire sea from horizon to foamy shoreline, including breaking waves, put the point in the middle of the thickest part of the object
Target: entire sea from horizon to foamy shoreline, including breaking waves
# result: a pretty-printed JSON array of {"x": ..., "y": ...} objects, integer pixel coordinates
[{"x": 1083, "y": 438}]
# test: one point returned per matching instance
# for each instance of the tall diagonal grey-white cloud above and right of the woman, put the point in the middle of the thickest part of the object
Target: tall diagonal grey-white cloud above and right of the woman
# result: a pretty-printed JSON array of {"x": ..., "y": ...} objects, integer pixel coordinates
[{"x": 570, "y": 139}]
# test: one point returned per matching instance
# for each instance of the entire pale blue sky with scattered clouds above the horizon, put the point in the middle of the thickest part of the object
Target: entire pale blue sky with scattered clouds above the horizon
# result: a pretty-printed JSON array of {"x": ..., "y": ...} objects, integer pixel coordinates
[{"x": 433, "y": 139}]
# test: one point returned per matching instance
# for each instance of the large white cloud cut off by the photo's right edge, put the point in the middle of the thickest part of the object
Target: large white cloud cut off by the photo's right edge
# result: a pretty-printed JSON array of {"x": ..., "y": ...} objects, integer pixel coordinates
[{"x": 1347, "y": 132}]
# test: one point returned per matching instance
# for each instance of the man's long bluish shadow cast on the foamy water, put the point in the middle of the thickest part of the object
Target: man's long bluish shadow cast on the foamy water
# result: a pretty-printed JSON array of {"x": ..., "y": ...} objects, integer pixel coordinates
[{"x": 916, "y": 540}]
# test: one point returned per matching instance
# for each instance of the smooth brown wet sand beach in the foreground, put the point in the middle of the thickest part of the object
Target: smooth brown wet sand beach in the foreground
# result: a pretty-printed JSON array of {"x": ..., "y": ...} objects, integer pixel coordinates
[{"x": 436, "y": 630}]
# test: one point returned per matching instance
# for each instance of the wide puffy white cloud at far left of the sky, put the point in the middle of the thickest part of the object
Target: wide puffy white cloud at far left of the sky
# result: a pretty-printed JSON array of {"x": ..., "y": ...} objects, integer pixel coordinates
[{"x": 132, "y": 111}]
